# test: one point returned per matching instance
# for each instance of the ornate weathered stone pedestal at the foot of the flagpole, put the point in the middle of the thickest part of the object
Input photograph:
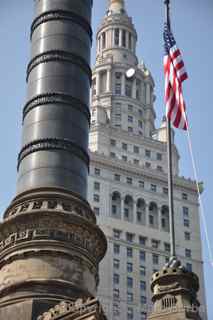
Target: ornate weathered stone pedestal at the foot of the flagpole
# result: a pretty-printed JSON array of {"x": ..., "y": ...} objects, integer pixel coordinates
[{"x": 175, "y": 295}]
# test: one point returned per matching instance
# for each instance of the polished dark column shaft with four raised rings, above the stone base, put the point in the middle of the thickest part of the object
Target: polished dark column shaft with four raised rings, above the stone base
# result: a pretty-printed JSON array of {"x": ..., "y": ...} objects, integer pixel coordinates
[{"x": 56, "y": 116}]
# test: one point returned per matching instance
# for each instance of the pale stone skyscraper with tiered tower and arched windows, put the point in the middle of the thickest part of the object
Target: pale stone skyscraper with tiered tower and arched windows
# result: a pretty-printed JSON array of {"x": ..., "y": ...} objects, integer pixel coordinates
[{"x": 128, "y": 176}]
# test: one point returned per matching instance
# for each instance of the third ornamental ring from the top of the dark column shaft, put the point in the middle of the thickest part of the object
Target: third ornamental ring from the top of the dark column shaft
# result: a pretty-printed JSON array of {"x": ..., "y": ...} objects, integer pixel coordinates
[{"x": 56, "y": 98}]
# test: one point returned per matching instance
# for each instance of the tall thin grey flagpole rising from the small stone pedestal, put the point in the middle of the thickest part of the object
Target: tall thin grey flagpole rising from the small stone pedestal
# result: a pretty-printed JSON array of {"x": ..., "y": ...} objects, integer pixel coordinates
[{"x": 169, "y": 155}]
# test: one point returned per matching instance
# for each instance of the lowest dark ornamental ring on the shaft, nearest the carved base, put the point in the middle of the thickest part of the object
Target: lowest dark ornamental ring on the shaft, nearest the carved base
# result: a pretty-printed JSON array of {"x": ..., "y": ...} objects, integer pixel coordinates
[{"x": 53, "y": 144}]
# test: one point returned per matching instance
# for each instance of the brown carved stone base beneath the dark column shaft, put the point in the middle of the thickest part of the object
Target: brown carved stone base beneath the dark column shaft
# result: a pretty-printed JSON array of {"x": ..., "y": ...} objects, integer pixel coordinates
[{"x": 50, "y": 248}]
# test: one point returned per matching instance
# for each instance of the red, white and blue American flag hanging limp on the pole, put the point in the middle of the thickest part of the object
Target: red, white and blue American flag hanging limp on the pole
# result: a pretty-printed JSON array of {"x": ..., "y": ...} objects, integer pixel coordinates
[{"x": 175, "y": 74}]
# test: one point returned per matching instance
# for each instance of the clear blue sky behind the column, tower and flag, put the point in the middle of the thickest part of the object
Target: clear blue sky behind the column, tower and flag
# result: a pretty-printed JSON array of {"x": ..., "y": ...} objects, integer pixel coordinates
[{"x": 193, "y": 28}]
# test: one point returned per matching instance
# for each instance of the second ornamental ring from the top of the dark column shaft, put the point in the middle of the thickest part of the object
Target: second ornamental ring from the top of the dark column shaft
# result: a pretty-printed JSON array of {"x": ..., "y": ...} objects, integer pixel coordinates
[{"x": 58, "y": 55}]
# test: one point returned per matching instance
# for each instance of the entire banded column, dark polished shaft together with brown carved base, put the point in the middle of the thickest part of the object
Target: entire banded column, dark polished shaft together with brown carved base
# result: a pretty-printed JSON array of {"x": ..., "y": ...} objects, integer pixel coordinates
[{"x": 50, "y": 244}]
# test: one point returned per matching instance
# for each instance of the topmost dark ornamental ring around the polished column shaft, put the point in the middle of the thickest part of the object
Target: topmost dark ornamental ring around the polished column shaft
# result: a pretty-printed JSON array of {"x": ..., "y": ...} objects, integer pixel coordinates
[{"x": 61, "y": 15}]
